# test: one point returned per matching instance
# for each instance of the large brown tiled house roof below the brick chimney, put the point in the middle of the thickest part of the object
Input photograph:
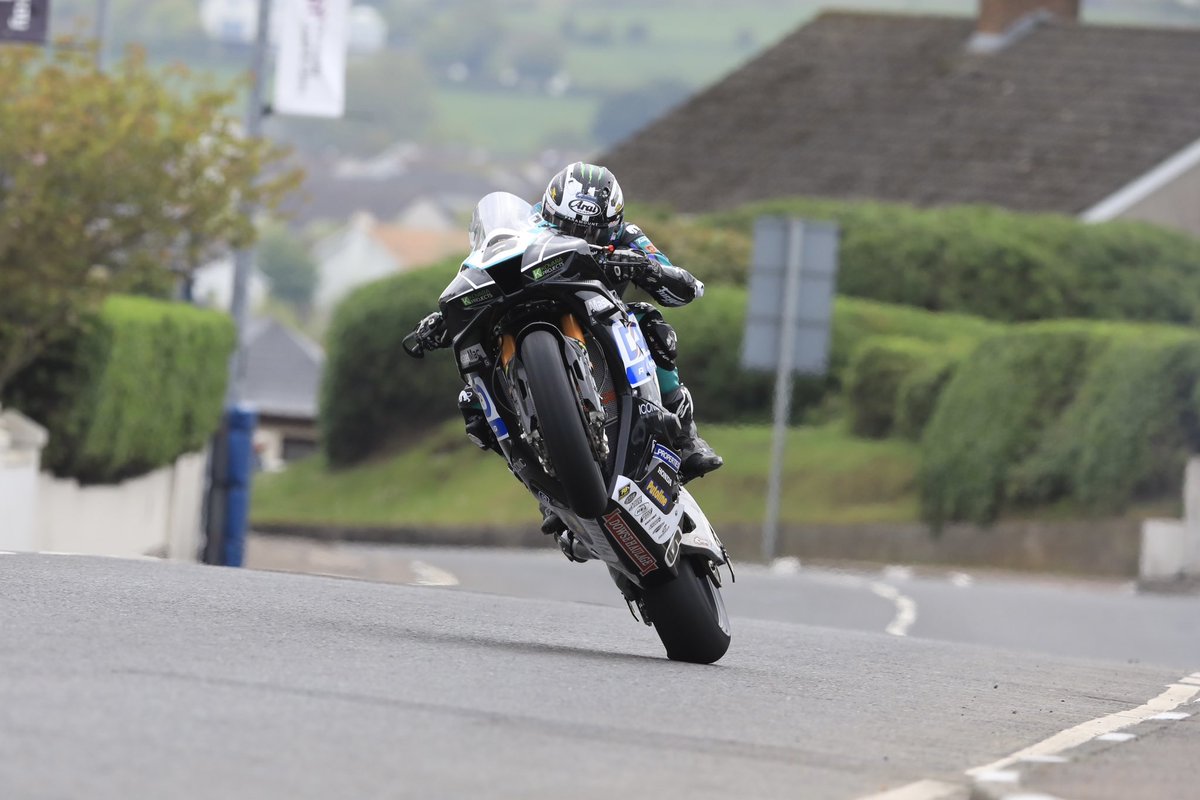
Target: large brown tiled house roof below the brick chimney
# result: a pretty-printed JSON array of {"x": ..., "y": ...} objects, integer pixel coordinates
[{"x": 897, "y": 109}]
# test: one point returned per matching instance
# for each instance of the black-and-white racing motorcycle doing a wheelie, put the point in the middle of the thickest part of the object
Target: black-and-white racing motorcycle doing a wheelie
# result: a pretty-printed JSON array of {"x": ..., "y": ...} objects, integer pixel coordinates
[{"x": 569, "y": 389}]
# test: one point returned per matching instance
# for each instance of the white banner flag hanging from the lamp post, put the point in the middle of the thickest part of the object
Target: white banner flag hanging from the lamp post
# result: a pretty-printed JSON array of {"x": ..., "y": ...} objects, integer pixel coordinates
[{"x": 310, "y": 71}]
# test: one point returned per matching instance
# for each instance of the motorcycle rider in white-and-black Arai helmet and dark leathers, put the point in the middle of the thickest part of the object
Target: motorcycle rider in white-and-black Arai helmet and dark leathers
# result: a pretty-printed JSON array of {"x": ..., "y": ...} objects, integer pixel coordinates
[{"x": 599, "y": 220}]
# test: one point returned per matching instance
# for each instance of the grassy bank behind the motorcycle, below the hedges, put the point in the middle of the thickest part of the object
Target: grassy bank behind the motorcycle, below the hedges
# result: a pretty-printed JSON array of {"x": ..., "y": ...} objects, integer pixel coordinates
[{"x": 445, "y": 482}]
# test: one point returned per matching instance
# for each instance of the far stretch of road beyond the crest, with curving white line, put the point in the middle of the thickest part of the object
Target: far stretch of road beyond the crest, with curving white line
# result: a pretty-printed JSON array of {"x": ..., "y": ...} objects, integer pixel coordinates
[{"x": 1089, "y": 619}]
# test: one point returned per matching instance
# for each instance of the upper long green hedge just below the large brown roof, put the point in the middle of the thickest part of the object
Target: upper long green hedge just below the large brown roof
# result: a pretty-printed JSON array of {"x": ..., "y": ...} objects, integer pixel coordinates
[{"x": 971, "y": 260}]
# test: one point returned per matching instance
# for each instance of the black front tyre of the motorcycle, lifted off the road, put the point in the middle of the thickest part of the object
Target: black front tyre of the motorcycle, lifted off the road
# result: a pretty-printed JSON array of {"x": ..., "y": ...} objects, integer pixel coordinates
[{"x": 562, "y": 425}]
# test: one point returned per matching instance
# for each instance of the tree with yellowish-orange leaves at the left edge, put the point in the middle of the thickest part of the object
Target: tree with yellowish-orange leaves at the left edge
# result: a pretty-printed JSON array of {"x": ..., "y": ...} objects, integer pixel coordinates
[{"x": 111, "y": 182}]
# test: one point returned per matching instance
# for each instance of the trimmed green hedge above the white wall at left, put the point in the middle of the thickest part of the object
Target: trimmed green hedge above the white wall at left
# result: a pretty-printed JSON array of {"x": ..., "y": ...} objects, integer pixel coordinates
[{"x": 142, "y": 384}]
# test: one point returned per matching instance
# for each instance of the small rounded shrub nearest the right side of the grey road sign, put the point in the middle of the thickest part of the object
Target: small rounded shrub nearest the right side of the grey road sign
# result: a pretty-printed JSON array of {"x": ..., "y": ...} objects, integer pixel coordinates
[{"x": 879, "y": 370}]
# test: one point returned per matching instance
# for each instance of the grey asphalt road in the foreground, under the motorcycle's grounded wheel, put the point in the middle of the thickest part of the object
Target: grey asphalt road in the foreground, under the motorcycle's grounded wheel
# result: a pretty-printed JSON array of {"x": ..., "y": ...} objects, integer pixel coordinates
[{"x": 128, "y": 679}]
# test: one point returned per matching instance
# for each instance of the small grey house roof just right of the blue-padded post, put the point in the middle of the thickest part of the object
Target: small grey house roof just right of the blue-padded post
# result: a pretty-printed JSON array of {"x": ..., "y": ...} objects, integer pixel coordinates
[{"x": 283, "y": 371}]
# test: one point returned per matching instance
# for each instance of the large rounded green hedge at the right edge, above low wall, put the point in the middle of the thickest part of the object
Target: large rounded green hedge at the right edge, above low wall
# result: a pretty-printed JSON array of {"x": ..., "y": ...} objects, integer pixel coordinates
[{"x": 1094, "y": 414}]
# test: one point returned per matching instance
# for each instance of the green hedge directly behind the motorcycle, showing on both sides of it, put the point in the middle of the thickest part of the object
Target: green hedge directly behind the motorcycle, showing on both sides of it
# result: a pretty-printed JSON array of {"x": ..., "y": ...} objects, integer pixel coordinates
[{"x": 374, "y": 394}]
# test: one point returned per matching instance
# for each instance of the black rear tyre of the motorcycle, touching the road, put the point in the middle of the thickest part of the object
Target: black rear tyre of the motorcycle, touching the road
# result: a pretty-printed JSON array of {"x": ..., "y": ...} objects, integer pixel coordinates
[{"x": 689, "y": 615}]
